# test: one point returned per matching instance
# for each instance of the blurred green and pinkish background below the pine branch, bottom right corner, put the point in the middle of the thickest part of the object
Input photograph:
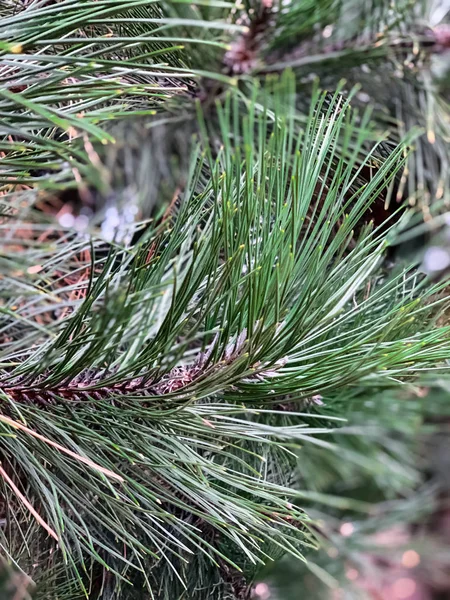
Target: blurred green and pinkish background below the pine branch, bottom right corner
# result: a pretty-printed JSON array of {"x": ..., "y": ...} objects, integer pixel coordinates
[{"x": 388, "y": 535}]
